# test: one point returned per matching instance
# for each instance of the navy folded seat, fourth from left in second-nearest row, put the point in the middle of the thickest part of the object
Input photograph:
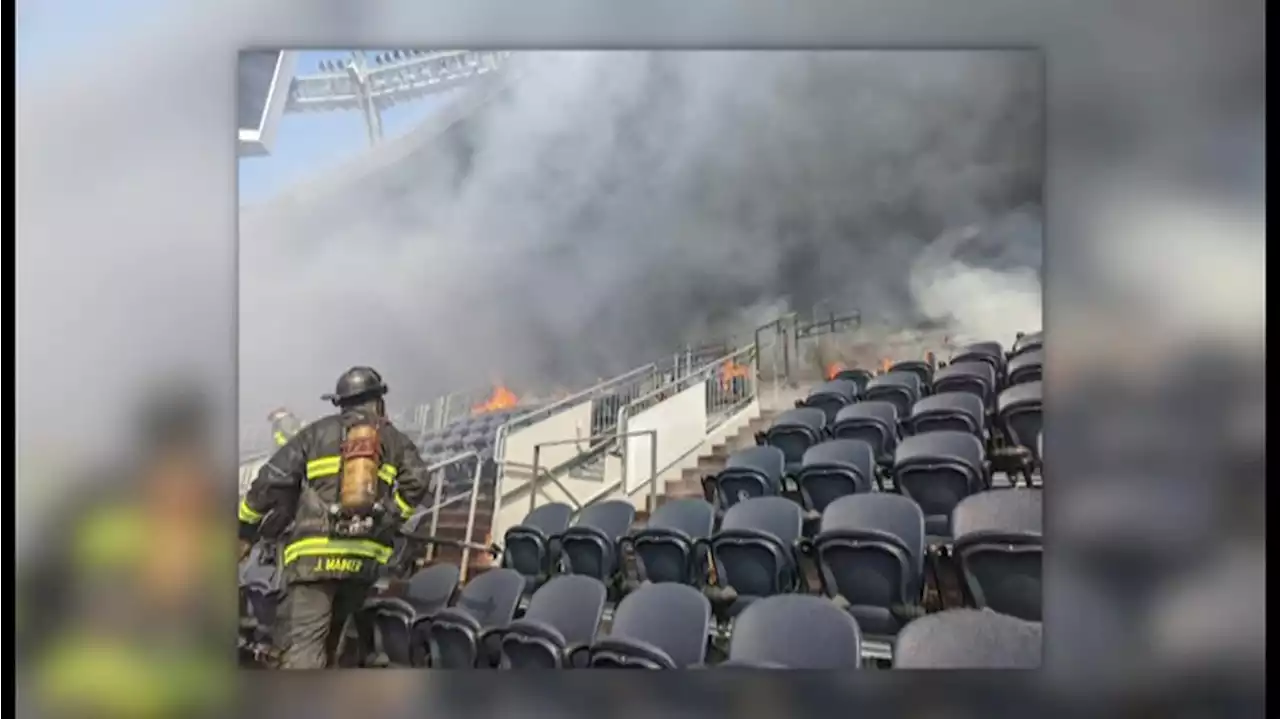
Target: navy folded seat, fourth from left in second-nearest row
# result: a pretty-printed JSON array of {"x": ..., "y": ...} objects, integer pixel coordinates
[{"x": 755, "y": 553}]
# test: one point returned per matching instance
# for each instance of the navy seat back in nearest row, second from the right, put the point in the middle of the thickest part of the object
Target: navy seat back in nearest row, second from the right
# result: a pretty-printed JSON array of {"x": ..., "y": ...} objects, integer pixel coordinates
[{"x": 796, "y": 633}]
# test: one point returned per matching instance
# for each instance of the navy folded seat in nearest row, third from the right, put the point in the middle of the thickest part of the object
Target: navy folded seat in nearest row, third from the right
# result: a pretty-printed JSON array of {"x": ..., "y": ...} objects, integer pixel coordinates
[{"x": 656, "y": 628}]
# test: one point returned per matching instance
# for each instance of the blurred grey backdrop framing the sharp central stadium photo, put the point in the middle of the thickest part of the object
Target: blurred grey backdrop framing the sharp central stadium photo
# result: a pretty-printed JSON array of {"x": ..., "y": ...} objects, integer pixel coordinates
[{"x": 1155, "y": 299}]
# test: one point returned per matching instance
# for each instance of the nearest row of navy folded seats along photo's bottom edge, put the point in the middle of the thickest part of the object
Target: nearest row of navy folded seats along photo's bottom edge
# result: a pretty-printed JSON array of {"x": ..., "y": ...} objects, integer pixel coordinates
[{"x": 664, "y": 626}]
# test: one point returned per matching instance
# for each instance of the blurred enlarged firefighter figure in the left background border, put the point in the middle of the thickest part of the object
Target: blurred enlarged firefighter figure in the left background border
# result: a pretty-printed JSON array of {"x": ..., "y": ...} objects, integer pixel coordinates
[{"x": 125, "y": 596}]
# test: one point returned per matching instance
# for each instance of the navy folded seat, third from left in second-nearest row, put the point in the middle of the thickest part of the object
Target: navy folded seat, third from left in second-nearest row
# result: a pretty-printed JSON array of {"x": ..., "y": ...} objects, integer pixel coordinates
[{"x": 669, "y": 549}]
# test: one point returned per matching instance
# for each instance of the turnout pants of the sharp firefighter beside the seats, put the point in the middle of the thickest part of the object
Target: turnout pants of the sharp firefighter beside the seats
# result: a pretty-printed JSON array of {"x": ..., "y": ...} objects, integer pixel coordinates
[{"x": 314, "y": 616}]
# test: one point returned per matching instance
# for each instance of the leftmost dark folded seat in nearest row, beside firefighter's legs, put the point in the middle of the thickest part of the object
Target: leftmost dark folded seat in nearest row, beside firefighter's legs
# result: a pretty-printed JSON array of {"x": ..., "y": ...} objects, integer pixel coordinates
[{"x": 390, "y": 620}]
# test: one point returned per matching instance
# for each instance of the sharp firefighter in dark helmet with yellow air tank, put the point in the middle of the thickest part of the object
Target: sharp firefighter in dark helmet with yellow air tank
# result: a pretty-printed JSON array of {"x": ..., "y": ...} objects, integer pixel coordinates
[{"x": 348, "y": 482}]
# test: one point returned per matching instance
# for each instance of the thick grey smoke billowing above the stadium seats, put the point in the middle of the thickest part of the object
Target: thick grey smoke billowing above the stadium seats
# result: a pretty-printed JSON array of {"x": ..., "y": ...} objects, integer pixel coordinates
[{"x": 605, "y": 209}]
